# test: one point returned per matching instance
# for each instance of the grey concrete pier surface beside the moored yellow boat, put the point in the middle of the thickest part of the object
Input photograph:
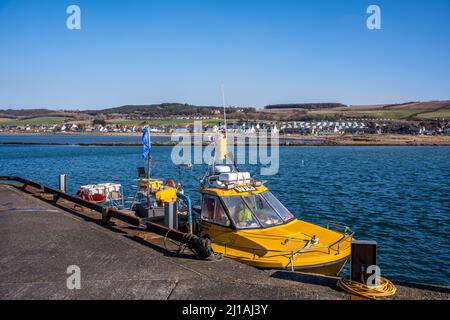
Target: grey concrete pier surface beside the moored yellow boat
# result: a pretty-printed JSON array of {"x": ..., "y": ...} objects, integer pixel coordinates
[{"x": 40, "y": 240}]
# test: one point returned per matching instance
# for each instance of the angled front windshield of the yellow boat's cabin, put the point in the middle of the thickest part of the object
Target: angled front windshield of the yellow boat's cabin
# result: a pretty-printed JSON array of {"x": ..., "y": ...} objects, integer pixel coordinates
[{"x": 256, "y": 210}]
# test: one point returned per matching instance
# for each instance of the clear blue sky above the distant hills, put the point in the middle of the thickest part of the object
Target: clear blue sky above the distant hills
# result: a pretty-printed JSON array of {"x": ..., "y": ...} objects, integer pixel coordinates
[{"x": 264, "y": 52}]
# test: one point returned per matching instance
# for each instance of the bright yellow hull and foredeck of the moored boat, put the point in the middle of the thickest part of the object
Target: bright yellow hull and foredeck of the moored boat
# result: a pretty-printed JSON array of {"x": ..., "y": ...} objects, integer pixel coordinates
[{"x": 269, "y": 249}]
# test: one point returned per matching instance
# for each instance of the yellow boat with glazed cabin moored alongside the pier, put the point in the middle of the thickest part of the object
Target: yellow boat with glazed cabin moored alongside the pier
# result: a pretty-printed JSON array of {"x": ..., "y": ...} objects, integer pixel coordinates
[{"x": 247, "y": 223}]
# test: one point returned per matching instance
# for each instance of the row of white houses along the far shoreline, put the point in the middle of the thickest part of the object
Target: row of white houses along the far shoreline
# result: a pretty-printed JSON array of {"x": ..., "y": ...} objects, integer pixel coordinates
[{"x": 250, "y": 127}]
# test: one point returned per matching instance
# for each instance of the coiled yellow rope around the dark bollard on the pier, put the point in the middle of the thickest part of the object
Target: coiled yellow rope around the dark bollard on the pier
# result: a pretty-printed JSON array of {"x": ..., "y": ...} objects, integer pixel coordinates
[{"x": 385, "y": 289}]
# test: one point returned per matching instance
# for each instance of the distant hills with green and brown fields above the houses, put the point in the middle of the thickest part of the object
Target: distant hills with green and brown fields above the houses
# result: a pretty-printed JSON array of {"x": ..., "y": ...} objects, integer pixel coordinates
[{"x": 408, "y": 111}]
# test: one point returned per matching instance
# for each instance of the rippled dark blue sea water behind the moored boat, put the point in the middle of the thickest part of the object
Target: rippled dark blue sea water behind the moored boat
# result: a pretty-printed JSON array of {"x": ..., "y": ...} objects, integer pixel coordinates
[{"x": 398, "y": 196}]
